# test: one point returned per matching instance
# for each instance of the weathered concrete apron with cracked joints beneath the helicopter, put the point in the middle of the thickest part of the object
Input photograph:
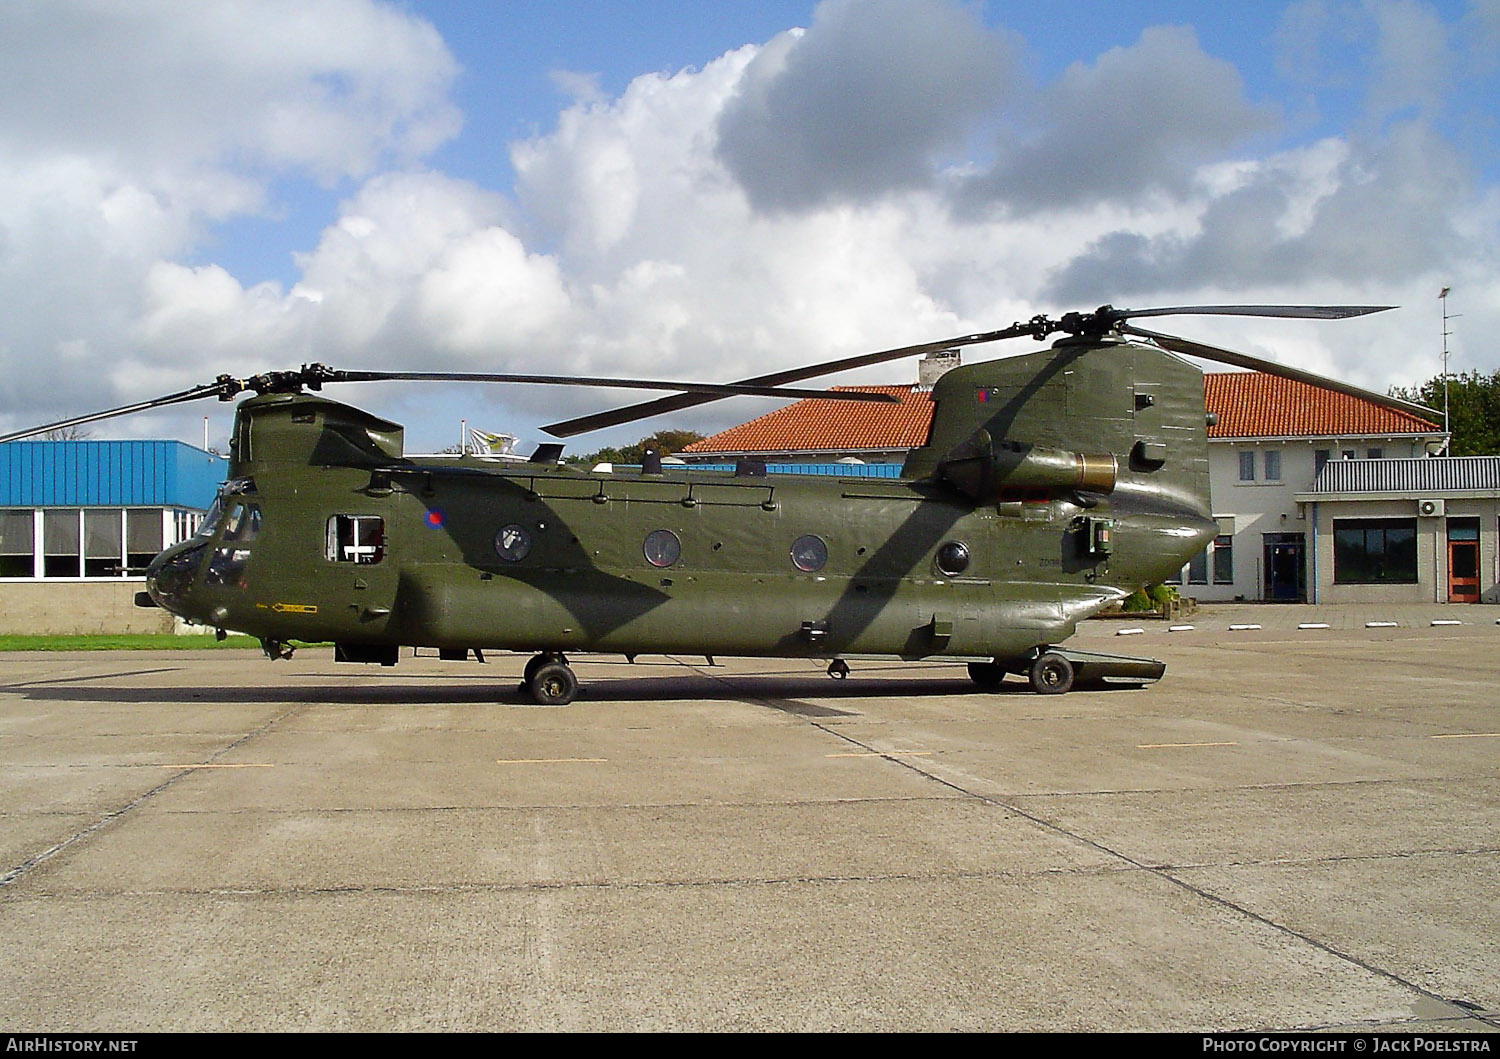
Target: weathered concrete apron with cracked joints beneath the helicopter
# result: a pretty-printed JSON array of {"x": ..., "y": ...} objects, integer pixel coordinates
[{"x": 1297, "y": 829}]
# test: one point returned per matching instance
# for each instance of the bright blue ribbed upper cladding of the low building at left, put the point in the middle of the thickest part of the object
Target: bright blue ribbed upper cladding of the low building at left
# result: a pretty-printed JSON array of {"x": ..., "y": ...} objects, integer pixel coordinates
[{"x": 109, "y": 475}]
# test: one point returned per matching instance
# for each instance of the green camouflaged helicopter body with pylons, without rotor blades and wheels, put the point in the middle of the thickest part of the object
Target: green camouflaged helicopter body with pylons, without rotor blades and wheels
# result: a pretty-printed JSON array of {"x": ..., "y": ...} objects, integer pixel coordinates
[{"x": 331, "y": 533}]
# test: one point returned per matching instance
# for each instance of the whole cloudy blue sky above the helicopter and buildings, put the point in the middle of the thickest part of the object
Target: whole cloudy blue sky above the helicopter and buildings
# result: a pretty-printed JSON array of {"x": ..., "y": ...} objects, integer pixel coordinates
[{"x": 712, "y": 191}]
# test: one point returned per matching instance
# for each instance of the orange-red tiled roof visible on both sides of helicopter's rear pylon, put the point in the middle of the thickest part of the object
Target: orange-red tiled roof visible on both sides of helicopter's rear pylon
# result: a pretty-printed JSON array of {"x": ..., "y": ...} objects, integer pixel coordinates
[{"x": 1249, "y": 406}]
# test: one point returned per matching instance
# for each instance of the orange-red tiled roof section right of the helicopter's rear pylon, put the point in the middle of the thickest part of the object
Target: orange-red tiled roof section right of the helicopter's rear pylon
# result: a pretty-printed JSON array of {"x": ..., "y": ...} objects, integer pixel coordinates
[{"x": 1259, "y": 406}]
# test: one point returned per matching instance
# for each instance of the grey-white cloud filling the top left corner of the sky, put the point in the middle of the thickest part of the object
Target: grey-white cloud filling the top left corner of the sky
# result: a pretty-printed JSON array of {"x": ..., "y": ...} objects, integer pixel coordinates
[{"x": 331, "y": 86}]
